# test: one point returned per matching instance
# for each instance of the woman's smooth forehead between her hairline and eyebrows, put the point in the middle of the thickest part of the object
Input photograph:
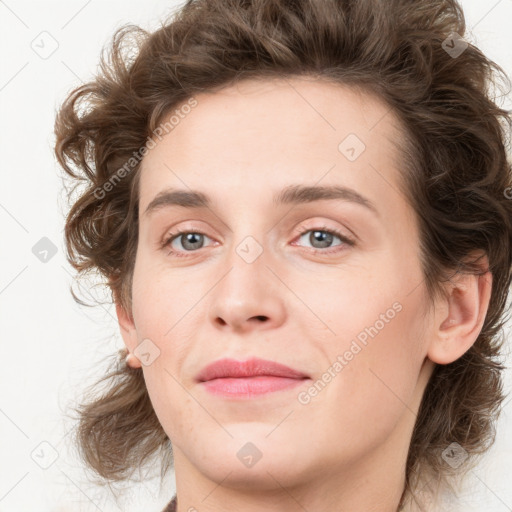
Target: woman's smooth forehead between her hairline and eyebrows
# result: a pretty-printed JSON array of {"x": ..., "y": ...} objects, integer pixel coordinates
[{"x": 259, "y": 136}]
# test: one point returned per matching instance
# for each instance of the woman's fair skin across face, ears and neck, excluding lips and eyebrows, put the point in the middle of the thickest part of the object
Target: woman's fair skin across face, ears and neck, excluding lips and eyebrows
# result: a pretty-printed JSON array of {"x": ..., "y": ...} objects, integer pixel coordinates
[{"x": 345, "y": 450}]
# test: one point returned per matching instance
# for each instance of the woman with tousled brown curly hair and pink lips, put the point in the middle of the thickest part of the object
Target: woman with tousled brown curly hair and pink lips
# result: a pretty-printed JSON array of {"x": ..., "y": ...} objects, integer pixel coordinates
[{"x": 303, "y": 212}]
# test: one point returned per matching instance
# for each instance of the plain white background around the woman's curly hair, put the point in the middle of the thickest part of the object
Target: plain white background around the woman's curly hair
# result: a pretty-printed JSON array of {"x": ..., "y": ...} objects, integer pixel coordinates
[{"x": 50, "y": 347}]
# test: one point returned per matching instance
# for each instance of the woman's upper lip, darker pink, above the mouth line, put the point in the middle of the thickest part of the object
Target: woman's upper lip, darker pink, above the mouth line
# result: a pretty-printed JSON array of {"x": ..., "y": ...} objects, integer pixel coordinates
[{"x": 253, "y": 367}]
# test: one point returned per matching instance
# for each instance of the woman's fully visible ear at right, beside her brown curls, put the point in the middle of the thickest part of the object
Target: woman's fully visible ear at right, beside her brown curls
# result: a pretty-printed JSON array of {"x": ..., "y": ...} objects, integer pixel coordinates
[{"x": 460, "y": 317}]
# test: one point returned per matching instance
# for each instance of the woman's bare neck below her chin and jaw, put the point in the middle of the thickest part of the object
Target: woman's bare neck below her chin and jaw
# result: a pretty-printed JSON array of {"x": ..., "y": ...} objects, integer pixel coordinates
[{"x": 369, "y": 486}]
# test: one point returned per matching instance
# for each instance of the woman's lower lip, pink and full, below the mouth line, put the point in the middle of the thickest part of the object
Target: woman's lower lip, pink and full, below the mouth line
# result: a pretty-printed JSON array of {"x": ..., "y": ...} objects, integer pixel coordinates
[{"x": 249, "y": 386}]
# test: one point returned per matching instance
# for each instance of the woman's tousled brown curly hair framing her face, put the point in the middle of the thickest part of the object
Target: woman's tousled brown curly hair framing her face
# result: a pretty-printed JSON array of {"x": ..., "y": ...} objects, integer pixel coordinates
[{"x": 457, "y": 177}]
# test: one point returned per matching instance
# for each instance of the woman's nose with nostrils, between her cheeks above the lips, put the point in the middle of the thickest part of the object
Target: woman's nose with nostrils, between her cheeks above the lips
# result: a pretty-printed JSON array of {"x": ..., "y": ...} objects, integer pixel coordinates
[{"x": 249, "y": 296}]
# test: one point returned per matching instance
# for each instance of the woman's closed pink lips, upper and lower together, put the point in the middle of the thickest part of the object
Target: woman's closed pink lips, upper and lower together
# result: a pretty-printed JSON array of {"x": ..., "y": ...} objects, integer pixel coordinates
[{"x": 232, "y": 378}]
